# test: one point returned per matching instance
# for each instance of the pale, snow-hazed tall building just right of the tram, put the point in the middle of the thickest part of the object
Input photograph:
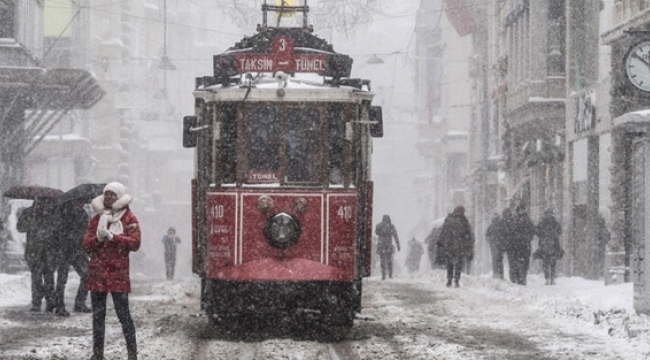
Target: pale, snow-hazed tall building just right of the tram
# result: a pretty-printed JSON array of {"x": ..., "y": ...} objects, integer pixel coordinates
[{"x": 444, "y": 111}]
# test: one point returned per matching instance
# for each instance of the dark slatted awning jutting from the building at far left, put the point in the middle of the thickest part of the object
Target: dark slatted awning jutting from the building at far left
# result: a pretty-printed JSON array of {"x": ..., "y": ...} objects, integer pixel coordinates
[{"x": 51, "y": 89}]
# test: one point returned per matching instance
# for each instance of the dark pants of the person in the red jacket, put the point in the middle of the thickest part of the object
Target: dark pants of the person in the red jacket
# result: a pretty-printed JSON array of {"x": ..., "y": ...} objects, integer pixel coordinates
[{"x": 121, "y": 303}]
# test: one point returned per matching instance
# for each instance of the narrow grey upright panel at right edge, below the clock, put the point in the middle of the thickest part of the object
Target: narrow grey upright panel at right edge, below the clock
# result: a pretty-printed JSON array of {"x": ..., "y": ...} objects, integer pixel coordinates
[{"x": 639, "y": 223}]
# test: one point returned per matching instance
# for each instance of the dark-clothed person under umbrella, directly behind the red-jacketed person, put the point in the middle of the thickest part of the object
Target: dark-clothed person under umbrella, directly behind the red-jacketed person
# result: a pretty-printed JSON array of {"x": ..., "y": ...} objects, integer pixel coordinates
[{"x": 72, "y": 225}]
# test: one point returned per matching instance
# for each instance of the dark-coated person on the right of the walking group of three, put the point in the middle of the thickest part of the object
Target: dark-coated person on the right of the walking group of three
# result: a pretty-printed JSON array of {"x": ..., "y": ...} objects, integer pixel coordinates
[{"x": 549, "y": 250}]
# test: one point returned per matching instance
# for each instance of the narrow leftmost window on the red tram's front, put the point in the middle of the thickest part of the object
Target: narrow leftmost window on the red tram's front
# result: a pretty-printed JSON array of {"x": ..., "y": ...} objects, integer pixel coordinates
[{"x": 228, "y": 143}]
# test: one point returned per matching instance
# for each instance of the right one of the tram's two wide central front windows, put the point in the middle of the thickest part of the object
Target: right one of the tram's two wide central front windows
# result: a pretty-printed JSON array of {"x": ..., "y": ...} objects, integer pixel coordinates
[{"x": 303, "y": 148}]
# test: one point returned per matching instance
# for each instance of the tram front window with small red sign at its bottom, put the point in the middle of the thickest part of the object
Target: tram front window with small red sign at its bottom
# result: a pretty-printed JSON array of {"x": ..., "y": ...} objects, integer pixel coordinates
[{"x": 263, "y": 144}]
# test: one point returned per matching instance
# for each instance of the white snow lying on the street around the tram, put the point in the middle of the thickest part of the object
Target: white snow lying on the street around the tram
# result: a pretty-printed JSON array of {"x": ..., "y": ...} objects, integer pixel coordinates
[{"x": 578, "y": 305}]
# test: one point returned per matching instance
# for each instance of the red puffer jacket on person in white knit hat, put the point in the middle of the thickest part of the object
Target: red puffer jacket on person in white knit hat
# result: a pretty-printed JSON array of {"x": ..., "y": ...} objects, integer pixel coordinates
[{"x": 109, "y": 260}]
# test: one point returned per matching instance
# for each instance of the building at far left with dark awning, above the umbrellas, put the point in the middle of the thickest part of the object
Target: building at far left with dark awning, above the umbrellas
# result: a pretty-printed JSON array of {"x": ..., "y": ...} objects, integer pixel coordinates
[{"x": 38, "y": 93}]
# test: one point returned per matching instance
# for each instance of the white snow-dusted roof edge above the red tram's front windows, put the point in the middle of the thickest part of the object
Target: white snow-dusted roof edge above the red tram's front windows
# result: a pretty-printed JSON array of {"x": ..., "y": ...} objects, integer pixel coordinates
[{"x": 302, "y": 87}]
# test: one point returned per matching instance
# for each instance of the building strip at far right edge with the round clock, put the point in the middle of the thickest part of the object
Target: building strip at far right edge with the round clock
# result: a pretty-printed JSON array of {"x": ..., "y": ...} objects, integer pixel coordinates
[{"x": 628, "y": 108}]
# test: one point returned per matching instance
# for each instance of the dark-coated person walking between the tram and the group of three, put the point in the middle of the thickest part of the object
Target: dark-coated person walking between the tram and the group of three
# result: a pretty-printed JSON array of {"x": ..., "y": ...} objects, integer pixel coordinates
[{"x": 456, "y": 240}]
